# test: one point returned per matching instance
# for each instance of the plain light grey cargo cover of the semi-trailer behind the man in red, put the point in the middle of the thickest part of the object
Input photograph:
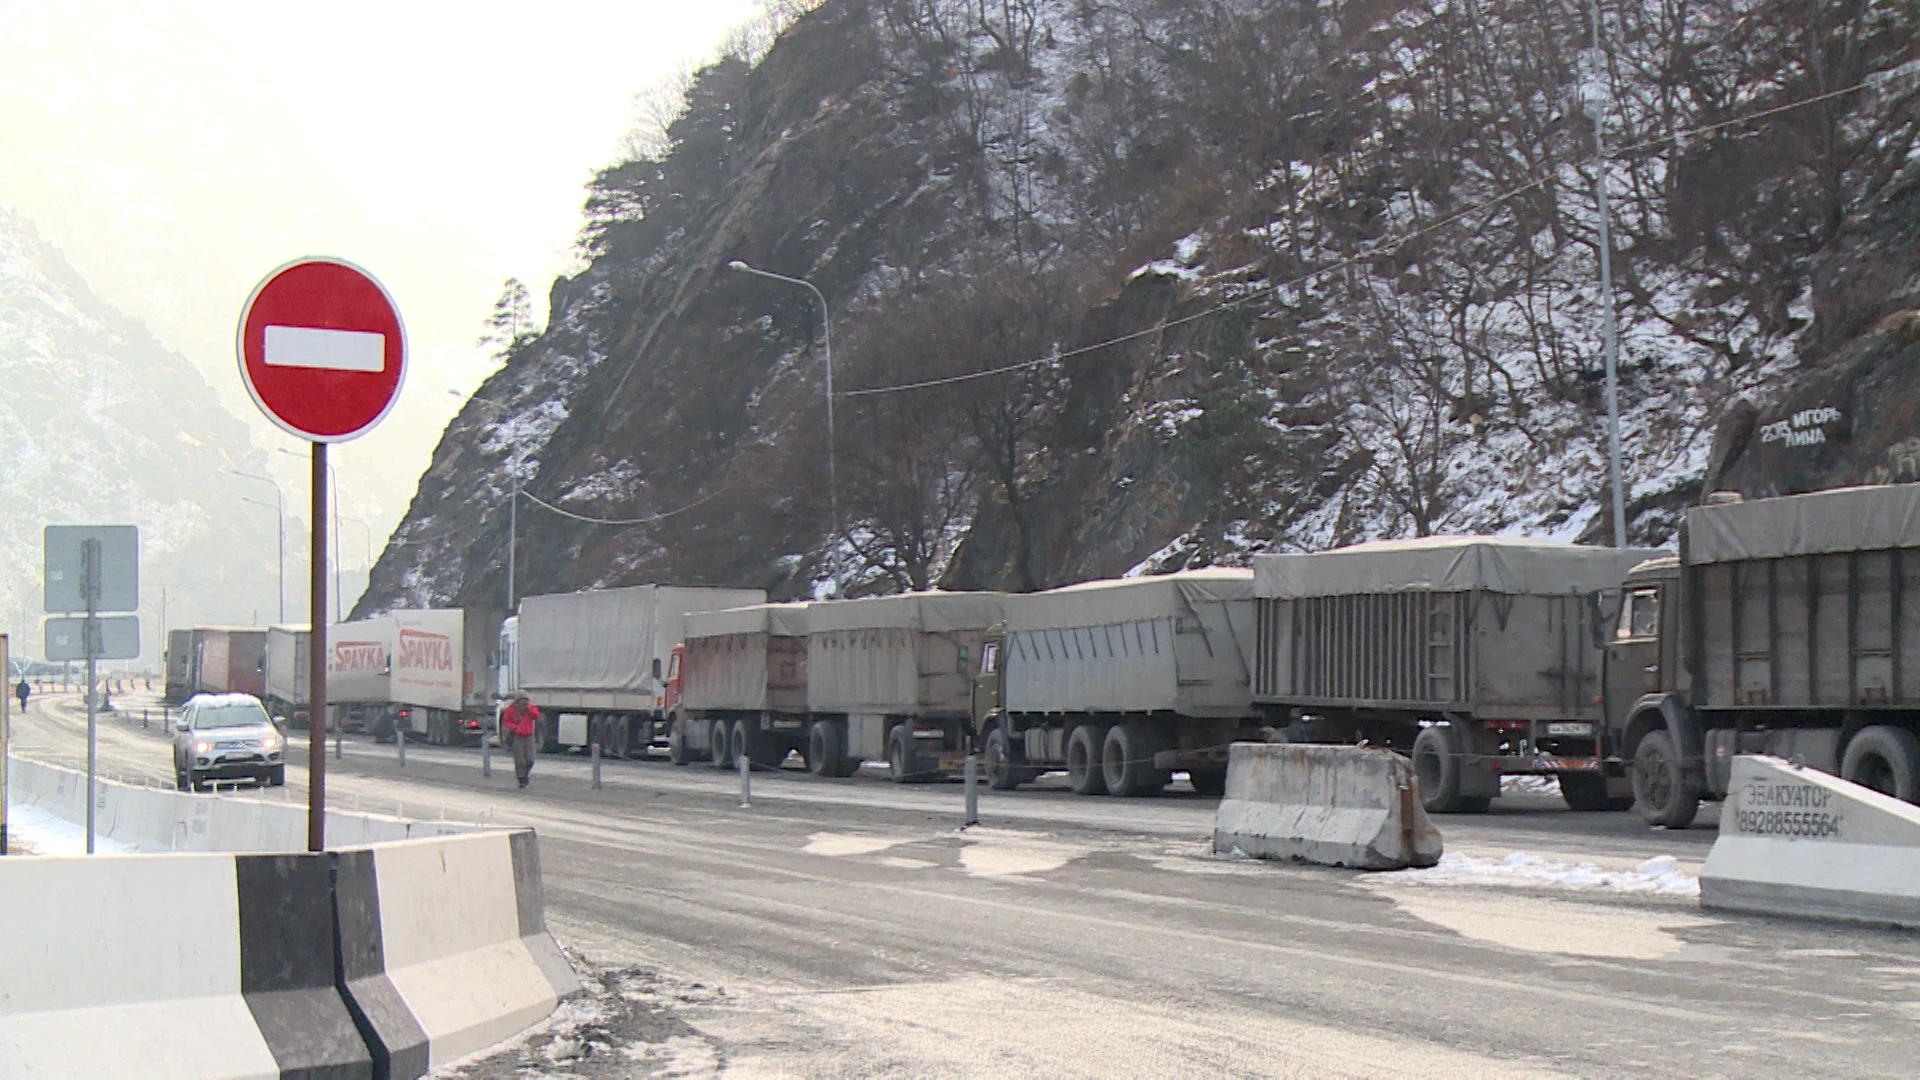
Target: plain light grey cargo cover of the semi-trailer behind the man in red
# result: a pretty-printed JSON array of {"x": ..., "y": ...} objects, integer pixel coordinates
[{"x": 596, "y": 650}]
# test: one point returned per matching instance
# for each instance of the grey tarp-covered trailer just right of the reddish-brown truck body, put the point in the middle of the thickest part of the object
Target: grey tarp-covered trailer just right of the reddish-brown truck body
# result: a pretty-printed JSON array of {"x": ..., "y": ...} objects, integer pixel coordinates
[{"x": 892, "y": 679}]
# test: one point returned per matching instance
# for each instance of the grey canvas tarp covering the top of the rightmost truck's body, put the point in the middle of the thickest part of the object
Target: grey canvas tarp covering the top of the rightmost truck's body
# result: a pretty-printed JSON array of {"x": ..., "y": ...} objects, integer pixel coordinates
[{"x": 1844, "y": 520}]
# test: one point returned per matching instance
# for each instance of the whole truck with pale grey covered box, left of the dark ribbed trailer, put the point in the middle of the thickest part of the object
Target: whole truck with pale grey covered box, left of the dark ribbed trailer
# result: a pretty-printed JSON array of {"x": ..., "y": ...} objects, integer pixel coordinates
[{"x": 1120, "y": 683}]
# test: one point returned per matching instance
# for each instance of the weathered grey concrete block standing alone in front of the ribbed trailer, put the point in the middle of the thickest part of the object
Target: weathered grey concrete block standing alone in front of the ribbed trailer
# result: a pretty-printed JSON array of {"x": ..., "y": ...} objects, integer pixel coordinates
[{"x": 1339, "y": 806}]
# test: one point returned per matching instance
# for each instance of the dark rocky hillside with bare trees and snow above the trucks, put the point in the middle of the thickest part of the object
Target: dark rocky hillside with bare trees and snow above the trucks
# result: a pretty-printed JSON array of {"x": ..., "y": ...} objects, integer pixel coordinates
[{"x": 1159, "y": 283}]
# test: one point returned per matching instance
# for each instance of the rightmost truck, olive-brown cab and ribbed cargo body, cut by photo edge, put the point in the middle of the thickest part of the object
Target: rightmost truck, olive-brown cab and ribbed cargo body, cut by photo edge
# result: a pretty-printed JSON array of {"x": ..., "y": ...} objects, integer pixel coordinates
[{"x": 1788, "y": 627}]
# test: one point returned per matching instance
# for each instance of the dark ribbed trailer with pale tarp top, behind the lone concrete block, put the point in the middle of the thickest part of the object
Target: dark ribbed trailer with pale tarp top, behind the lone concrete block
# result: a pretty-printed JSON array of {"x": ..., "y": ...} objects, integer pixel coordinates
[{"x": 1479, "y": 656}]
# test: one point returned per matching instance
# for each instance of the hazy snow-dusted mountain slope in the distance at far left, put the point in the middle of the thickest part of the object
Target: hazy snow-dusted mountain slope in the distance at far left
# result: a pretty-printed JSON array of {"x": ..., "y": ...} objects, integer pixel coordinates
[{"x": 107, "y": 426}]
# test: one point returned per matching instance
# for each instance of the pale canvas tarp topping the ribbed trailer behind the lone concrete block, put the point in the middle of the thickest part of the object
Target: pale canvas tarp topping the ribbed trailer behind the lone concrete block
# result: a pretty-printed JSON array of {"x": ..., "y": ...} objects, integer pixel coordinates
[{"x": 1510, "y": 566}]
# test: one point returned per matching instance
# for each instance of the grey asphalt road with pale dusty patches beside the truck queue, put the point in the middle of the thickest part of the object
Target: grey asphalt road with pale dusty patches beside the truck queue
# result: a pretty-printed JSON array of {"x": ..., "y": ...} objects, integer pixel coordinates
[{"x": 852, "y": 929}]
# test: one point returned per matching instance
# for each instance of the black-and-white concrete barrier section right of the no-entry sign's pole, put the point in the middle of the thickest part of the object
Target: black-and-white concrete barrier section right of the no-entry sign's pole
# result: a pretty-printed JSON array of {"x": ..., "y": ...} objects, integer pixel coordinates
[{"x": 448, "y": 946}]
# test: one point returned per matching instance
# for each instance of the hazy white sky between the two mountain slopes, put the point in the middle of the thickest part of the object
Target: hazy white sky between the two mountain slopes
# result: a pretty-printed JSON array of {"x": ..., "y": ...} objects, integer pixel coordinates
[{"x": 178, "y": 151}]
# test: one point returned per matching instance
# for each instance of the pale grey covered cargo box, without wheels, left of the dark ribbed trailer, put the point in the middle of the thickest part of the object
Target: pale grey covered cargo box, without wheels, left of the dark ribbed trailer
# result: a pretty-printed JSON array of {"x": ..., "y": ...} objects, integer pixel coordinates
[{"x": 1172, "y": 643}]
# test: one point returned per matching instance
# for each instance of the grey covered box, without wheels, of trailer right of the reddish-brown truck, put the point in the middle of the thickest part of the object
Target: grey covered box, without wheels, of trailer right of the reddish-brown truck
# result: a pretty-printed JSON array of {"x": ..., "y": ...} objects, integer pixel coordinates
[{"x": 905, "y": 654}]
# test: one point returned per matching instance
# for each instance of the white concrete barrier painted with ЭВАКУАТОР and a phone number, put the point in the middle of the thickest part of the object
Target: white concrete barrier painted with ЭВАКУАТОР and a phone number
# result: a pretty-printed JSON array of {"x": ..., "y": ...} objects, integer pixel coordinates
[{"x": 1804, "y": 843}]
